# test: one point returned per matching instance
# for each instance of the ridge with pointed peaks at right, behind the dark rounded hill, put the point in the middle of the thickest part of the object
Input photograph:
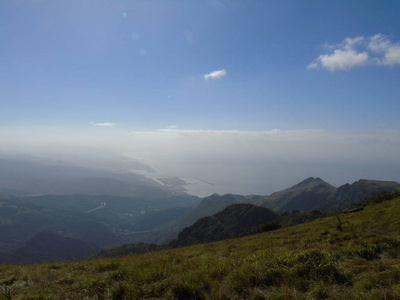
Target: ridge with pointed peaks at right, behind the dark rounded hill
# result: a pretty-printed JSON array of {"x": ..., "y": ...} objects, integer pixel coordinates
[{"x": 308, "y": 195}]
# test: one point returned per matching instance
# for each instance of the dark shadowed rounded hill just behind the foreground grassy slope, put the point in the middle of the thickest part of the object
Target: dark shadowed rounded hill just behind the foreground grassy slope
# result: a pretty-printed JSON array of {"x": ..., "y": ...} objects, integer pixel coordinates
[{"x": 234, "y": 221}]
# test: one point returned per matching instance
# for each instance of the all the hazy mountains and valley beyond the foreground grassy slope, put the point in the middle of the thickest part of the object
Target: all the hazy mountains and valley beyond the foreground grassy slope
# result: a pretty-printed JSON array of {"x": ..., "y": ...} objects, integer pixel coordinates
[{"x": 67, "y": 207}]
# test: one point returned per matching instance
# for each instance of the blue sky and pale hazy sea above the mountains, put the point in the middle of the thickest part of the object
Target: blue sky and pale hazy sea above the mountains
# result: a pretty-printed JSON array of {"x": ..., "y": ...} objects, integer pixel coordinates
[{"x": 251, "y": 96}]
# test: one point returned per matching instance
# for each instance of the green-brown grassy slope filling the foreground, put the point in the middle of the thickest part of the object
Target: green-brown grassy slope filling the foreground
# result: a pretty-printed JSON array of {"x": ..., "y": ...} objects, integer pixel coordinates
[{"x": 307, "y": 261}]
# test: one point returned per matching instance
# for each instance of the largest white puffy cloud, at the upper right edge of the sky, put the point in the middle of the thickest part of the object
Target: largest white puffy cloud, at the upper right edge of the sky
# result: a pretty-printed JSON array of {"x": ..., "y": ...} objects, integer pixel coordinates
[{"x": 359, "y": 51}]
